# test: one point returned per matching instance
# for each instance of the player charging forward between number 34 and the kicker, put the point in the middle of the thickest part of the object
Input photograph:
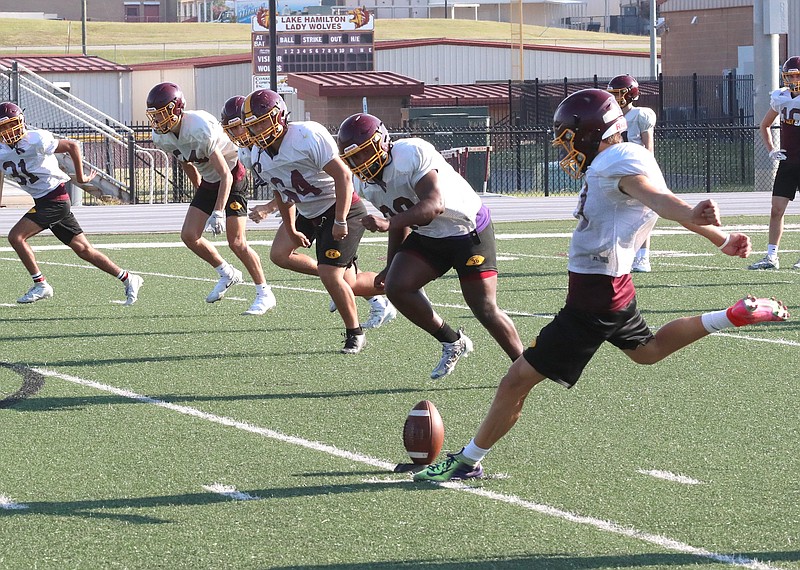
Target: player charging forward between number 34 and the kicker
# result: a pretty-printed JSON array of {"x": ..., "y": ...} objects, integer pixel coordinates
[{"x": 436, "y": 222}]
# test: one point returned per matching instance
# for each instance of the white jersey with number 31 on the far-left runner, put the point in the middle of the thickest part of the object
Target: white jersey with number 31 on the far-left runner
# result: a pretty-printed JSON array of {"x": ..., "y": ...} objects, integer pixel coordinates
[{"x": 32, "y": 163}]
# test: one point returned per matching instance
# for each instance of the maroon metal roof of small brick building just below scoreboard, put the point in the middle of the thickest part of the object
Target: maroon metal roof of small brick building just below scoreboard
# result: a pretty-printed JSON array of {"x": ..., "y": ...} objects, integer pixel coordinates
[{"x": 366, "y": 83}]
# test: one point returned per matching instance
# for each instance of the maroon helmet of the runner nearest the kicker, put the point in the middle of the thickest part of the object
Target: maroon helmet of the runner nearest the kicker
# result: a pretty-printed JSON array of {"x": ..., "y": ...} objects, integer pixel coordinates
[{"x": 364, "y": 145}]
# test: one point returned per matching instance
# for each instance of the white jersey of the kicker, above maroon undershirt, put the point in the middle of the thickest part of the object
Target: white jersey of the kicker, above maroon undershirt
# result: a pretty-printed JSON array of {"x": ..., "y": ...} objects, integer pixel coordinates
[{"x": 611, "y": 224}]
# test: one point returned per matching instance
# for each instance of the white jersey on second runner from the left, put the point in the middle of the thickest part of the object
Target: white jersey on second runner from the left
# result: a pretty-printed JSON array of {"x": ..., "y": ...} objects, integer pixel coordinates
[{"x": 199, "y": 136}]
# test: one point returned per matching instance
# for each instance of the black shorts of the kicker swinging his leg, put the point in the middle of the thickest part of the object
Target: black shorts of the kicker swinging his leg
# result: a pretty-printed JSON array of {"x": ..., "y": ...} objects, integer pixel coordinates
[{"x": 566, "y": 345}]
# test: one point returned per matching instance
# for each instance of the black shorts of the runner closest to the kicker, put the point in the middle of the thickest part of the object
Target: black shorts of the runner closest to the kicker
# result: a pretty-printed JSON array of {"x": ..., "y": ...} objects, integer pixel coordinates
[{"x": 472, "y": 254}]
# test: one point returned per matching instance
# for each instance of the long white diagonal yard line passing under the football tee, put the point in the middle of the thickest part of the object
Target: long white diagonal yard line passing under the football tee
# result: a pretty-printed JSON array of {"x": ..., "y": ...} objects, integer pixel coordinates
[{"x": 607, "y": 526}]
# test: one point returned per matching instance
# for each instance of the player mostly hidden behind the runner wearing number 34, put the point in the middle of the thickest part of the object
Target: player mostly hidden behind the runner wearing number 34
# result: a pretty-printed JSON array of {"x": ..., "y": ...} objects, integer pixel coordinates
[{"x": 283, "y": 252}]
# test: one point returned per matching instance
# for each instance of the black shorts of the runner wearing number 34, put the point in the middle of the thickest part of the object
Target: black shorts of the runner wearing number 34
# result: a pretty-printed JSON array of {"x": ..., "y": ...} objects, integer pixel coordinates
[{"x": 320, "y": 229}]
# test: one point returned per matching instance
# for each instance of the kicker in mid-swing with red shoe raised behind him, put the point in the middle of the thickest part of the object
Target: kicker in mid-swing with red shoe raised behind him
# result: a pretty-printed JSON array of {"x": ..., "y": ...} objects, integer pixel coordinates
[{"x": 622, "y": 195}]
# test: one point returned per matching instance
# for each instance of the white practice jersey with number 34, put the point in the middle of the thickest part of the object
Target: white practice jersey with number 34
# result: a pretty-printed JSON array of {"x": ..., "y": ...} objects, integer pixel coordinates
[{"x": 296, "y": 172}]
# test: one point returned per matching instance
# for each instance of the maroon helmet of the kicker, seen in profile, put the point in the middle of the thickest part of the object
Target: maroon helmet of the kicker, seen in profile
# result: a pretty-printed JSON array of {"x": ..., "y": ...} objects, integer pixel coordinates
[{"x": 580, "y": 123}]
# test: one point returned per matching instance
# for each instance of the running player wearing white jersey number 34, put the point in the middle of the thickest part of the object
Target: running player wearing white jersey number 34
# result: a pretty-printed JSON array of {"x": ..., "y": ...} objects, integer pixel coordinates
[{"x": 314, "y": 192}]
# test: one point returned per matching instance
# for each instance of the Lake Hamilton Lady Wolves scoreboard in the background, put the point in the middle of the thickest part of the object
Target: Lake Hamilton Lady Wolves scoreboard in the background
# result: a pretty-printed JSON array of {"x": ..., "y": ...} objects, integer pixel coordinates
[{"x": 314, "y": 44}]
